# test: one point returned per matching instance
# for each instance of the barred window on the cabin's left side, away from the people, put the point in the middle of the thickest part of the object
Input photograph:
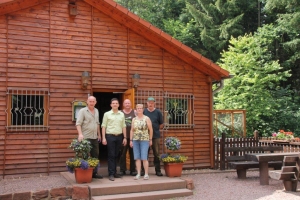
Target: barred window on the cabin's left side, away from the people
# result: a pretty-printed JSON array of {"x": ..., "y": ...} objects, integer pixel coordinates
[{"x": 27, "y": 110}]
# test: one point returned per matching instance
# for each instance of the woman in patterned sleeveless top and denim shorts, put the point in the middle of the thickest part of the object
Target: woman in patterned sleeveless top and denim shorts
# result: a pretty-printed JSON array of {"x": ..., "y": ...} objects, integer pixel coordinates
[{"x": 141, "y": 139}]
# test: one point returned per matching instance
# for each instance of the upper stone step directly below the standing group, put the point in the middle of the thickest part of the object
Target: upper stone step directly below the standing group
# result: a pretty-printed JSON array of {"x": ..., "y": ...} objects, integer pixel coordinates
[{"x": 137, "y": 186}]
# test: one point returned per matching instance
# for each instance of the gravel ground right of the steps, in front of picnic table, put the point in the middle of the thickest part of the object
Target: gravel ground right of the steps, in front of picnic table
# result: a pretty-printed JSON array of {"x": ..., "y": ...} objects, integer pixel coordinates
[{"x": 226, "y": 186}]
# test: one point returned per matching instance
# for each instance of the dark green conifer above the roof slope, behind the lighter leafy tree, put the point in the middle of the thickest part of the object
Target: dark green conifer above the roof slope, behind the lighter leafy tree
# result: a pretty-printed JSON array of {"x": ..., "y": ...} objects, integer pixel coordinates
[{"x": 220, "y": 20}]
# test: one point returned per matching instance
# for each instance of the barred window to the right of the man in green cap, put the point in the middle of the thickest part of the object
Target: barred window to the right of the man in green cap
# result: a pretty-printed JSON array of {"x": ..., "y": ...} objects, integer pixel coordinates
[{"x": 179, "y": 111}]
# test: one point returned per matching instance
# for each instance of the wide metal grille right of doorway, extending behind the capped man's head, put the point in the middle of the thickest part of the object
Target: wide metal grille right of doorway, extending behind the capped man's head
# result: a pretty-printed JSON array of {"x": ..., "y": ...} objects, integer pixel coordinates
[{"x": 177, "y": 109}]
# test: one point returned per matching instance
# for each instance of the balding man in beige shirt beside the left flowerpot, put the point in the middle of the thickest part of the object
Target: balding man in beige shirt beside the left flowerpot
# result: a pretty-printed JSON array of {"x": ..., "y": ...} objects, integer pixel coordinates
[{"x": 88, "y": 127}]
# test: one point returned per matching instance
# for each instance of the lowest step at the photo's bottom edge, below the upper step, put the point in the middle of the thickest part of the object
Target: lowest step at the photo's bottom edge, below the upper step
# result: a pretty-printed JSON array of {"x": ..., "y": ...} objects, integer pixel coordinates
[{"x": 153, "y": 195}]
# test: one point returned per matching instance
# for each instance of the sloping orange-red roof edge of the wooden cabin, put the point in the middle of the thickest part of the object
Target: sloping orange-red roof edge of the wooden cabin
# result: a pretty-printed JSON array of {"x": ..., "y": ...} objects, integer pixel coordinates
[{"x": 140, "y": 26}]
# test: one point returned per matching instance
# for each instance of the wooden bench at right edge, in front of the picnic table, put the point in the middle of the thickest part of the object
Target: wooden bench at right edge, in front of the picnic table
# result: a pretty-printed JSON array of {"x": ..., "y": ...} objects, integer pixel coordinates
[{"x": 289, "y": 173}]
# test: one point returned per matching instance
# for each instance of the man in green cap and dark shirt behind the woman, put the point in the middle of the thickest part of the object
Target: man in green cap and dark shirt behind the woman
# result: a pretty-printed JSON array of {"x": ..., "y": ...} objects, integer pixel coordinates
[{"x": 156, "y": 118}]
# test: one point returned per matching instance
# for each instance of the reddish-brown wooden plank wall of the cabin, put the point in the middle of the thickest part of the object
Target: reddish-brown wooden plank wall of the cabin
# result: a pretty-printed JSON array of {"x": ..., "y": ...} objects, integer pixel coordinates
[{"x": 42, "y": 47}]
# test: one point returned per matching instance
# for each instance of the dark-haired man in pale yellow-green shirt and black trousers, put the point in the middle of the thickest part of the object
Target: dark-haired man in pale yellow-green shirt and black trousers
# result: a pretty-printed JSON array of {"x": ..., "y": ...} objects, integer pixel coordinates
[{"x": 113, "y": 135}]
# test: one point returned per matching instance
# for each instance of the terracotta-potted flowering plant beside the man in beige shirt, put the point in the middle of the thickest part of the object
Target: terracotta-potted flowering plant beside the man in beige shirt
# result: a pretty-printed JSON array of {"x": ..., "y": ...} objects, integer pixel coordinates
[{"x": 82, "y": 164}]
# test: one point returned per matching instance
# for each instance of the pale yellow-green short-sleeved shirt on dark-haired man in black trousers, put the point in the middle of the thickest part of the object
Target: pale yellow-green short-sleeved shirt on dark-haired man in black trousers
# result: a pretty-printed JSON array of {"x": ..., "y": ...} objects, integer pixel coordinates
[{"x": 113, "y": 122}]
